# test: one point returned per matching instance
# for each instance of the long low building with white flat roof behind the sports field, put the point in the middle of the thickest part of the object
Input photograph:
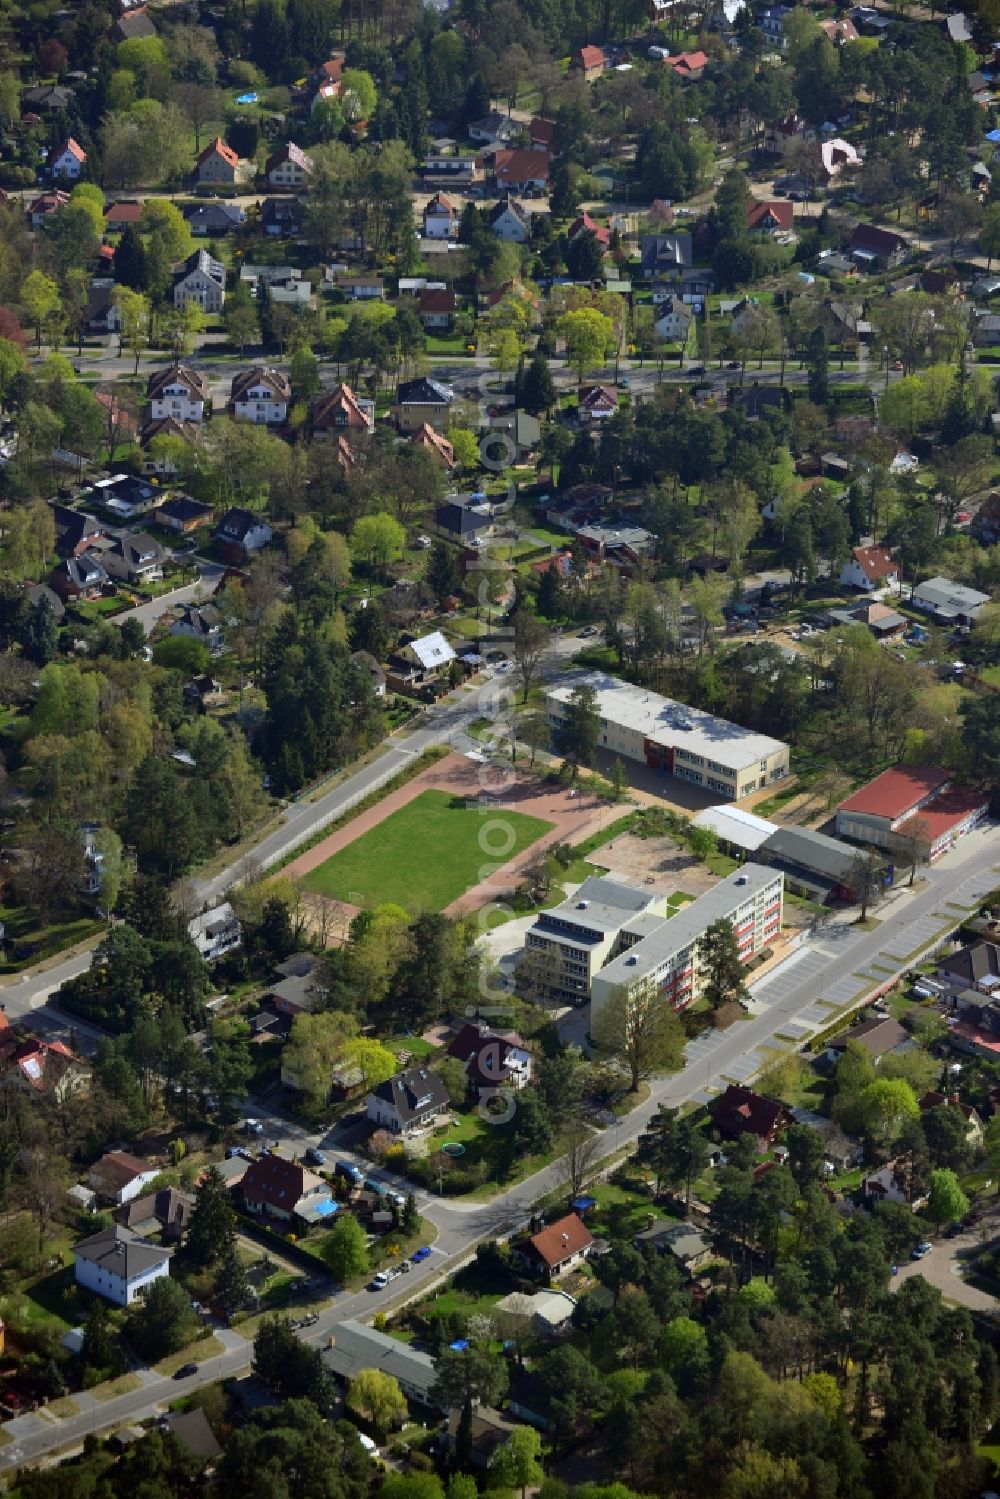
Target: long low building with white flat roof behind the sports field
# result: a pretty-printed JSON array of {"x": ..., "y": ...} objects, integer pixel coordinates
[{"x": 677, "y": 740}]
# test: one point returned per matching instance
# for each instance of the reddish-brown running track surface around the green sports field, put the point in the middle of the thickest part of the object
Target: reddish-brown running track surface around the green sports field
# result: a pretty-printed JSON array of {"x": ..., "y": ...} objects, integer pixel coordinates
[{"x": 575, "y": 816}]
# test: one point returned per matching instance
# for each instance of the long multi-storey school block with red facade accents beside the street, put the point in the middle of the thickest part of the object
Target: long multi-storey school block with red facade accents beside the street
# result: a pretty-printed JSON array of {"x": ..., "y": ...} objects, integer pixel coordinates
[{"x": 666, "y": 957}]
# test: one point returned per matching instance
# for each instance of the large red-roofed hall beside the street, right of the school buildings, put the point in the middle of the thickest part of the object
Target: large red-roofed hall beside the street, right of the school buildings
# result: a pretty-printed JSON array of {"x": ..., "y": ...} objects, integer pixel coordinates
[{"x": 912, "y": 801}]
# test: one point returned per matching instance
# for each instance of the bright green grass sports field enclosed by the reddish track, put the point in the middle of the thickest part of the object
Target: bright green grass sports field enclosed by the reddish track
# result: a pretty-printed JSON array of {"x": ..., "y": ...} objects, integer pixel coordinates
[{"x": 425, "y": 855}]
